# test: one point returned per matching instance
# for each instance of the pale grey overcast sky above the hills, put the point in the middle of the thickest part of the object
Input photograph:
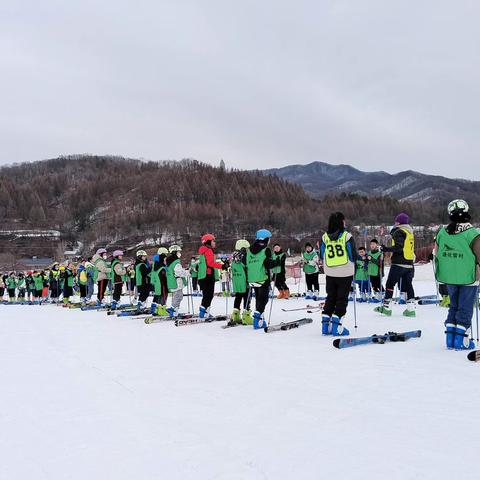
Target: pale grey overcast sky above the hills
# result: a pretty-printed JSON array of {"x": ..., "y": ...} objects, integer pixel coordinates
[{"x": 378, "y": 84}]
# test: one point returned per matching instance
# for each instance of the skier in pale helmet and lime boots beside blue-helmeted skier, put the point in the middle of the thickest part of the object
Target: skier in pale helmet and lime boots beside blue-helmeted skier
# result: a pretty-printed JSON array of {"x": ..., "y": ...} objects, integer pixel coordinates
[{"x": 241, "y": 288}]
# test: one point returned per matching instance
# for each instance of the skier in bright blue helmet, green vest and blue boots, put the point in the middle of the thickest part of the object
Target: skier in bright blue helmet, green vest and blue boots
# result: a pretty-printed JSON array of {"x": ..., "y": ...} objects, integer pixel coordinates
[{"x": 259, "y": 263}]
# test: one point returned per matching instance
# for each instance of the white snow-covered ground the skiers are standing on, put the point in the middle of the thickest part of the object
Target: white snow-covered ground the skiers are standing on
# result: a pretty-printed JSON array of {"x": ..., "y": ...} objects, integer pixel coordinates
[{"x": 86, "y": 396}]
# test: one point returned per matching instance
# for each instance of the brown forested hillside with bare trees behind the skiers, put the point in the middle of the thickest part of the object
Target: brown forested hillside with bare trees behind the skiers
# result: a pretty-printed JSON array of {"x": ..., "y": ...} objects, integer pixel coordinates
[{"x": 110, "y": 199}]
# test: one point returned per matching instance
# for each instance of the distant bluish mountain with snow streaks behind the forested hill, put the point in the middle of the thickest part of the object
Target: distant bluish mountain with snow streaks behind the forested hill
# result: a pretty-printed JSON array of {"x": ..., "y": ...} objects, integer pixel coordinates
[{"x": 319, "y": 179}]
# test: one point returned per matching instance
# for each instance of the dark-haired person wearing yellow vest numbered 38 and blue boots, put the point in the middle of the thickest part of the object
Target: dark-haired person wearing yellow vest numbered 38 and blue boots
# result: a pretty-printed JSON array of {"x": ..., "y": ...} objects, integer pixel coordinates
[{"x": 338, "y": 253}]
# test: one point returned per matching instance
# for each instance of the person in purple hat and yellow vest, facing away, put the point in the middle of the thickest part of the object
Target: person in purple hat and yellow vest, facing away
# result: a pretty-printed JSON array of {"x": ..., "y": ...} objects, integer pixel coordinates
[{"x": 401, "y": 269}]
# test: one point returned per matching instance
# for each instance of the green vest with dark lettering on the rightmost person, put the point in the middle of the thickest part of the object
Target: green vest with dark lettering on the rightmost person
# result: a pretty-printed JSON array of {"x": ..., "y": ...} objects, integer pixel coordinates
[{"x": 456, "y": 263}]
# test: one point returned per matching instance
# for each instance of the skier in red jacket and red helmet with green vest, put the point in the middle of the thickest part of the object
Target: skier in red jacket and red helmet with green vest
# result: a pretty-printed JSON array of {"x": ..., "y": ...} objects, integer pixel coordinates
[{"x": 208, "y": 273}]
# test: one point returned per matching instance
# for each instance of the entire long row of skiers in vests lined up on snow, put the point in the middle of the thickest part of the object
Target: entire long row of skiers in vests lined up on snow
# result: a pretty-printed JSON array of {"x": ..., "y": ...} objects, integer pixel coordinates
[{"x": 253, "y": 268}]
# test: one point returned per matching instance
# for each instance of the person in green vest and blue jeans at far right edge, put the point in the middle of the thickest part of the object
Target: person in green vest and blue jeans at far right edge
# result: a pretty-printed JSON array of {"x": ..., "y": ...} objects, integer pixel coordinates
[{"x": 457, "y": 259}]
